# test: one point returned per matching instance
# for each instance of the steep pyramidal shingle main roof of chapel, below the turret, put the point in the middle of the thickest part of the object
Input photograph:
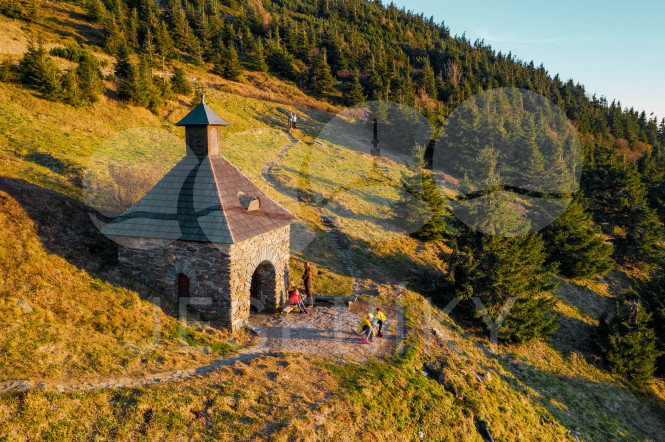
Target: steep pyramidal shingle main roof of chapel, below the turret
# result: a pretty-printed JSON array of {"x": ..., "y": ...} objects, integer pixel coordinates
[{"x": 199, "y": 201}]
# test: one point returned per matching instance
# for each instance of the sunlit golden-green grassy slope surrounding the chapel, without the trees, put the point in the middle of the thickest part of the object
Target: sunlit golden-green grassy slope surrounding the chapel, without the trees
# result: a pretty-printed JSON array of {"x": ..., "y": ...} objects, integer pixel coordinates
[{"x": 89, "y": 320}]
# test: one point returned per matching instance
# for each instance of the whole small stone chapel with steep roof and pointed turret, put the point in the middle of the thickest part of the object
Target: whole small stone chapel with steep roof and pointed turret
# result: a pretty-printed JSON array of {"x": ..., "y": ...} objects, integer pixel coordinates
[{"x": 205, "y": 235}]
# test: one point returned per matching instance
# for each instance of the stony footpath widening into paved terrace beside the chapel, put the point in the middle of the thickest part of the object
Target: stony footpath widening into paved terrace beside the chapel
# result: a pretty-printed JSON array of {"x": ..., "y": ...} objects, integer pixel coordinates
[{"x": 328, "y": 330}]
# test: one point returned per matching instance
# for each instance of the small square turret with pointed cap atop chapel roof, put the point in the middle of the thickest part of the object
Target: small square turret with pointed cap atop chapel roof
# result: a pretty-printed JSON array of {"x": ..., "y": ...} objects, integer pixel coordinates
[{"x": 202, "y": 134}]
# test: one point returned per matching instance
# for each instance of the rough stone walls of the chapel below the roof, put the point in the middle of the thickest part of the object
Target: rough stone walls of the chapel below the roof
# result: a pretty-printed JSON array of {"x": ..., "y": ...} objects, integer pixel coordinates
[{"x": 220, "y": 275}]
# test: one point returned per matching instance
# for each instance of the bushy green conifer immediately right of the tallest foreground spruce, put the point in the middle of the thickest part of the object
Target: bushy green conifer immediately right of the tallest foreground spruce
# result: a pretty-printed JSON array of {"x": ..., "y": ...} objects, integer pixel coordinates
[{"x": 579, "y": 250}]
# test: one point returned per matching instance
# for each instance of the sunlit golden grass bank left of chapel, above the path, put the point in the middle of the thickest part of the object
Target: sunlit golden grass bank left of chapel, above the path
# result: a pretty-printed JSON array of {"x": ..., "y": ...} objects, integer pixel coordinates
[{"x": 80, "y": 326}]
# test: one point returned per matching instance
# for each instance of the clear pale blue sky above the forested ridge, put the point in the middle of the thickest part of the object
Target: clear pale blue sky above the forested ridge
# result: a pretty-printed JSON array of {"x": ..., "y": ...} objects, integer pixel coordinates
[{"x": 613, "y": 48}]
